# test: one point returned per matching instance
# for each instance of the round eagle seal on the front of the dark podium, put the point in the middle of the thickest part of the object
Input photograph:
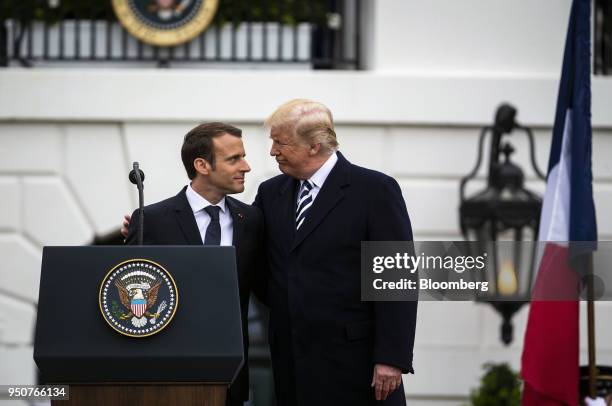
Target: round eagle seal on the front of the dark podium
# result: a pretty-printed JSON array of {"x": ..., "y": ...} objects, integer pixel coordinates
[{"x": 138, "y": 298}]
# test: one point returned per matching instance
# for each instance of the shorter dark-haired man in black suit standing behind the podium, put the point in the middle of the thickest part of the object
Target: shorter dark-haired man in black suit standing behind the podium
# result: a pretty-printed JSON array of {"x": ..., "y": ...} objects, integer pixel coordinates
[{"x": 202, "y": 213}]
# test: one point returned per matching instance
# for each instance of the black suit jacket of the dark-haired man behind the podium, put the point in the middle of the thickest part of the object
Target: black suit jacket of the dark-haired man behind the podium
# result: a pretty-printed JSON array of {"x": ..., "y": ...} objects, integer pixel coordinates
[{"x": 171, "y": 222}]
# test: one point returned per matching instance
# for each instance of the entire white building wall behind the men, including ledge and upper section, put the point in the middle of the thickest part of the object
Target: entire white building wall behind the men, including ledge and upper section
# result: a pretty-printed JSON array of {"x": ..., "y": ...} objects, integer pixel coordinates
[{"x": 439, "y": 69}]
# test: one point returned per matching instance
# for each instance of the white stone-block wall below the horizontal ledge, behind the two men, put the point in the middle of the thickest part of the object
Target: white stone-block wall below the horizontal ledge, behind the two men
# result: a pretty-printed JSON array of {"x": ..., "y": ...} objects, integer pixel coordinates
[{"x": 64, "y": 182}]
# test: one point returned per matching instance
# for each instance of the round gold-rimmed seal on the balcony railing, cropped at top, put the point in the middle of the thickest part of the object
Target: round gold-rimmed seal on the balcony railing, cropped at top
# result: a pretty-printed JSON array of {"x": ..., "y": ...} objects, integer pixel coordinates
[{"x": 165, "y": 22}]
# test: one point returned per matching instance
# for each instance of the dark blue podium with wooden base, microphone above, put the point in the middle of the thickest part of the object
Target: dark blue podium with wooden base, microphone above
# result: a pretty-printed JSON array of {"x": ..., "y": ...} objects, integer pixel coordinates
[{"x": 191, "y": 361}]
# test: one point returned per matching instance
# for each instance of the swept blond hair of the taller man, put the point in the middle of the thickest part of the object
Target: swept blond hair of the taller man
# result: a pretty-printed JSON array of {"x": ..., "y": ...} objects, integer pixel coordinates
[{"x": 309, "y": 120}]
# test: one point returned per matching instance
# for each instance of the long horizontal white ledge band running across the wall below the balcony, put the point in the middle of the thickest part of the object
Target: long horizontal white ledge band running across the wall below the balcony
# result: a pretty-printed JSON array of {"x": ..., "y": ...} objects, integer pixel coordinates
[{"x": 355, "y": 97}]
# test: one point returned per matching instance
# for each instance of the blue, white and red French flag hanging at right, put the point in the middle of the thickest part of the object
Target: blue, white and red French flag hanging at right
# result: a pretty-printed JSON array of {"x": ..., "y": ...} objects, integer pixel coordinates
[{"x": 550, "y": 361}]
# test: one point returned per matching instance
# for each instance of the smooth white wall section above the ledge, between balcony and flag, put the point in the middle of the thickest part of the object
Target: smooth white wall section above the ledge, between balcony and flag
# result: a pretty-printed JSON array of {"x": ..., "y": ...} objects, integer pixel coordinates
[{"x": 520, "y": 37}]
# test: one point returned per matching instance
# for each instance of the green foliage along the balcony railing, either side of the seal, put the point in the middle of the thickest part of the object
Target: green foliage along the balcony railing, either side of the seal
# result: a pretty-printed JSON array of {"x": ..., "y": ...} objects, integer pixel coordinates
[{"x": 229, "y": 11}]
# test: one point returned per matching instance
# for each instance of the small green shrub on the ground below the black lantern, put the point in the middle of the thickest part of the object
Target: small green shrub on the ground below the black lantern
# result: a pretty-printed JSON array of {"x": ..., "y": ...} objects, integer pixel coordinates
[{"x": 499, "y": 386}]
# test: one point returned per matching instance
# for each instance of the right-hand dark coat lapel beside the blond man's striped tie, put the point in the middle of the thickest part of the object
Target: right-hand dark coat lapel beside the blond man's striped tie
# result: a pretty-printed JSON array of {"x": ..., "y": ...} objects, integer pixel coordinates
[{"x": 330, "y": 194}]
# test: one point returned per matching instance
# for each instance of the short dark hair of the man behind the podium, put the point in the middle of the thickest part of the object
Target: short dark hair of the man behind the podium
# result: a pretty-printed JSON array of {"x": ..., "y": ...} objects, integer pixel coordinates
[{"x": 198, "y": 144}]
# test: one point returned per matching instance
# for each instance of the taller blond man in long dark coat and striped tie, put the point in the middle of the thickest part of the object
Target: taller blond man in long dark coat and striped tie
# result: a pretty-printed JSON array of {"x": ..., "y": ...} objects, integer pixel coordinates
[{"x": 327, "y": 346}]
